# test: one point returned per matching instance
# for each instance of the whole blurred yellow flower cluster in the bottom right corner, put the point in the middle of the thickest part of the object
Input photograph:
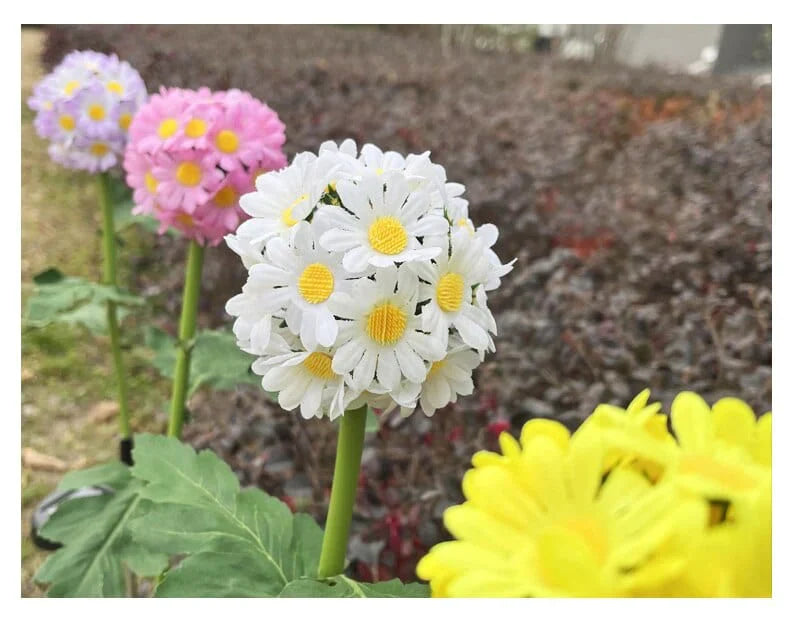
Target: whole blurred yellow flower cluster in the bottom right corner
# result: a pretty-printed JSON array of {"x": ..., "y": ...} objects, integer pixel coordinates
[{"x": 620, "y": 508}]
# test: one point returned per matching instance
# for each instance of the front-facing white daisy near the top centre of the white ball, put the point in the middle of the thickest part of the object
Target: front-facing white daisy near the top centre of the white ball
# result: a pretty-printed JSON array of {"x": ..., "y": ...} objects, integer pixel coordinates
[{"x": 383, "y": 225}]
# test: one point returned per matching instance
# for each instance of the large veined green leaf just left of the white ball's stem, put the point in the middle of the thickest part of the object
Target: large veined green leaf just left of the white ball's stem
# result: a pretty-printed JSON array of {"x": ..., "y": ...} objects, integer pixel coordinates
[{"x": 239, "y": 542}]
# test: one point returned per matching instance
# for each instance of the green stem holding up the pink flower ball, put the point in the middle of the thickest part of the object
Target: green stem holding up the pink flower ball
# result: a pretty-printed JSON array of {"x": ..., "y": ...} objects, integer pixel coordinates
[{"x": 186, "y": 332}]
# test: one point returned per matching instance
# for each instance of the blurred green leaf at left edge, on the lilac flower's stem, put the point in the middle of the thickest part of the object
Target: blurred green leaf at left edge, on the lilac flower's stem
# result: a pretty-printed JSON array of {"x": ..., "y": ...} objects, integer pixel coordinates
[{"x": 74, "y": 300}]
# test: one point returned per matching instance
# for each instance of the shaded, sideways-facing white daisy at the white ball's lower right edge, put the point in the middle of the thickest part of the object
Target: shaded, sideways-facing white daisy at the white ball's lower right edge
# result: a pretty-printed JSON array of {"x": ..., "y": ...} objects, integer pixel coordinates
[{"x": 447, "y": 379}]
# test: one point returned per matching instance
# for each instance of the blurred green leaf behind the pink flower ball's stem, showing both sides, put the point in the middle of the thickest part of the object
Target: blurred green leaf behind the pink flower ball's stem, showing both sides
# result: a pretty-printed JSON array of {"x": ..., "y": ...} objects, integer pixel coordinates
[{"x": 216, "y": 360}]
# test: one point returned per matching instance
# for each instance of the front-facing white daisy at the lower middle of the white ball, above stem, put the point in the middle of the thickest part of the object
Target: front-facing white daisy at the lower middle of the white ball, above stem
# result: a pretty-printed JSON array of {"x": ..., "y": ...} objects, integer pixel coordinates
[{"x": 382, "y": 339}]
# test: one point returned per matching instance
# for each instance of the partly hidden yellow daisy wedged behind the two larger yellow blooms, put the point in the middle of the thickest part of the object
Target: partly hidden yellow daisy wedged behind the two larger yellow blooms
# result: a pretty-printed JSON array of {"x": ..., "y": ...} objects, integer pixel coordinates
[{"x": 639, "y": 418}]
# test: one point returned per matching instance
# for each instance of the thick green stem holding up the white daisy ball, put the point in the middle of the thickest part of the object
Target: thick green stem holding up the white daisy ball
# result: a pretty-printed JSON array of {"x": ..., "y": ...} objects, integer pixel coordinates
[{"x": 344, "y": 490}]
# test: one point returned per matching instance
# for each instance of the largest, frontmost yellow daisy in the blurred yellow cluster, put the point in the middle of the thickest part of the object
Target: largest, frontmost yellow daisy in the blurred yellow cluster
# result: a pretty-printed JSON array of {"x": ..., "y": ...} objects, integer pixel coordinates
[{"x": 542, "y": 519}]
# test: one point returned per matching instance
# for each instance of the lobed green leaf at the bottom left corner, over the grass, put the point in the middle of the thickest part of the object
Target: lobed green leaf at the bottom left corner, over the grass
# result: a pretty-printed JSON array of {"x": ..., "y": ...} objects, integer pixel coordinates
[{"x": 96, "y": 538}]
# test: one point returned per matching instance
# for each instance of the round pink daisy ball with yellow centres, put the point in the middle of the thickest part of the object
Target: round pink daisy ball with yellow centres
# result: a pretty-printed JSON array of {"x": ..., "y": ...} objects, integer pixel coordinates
[{"x": 192, "y": 154}]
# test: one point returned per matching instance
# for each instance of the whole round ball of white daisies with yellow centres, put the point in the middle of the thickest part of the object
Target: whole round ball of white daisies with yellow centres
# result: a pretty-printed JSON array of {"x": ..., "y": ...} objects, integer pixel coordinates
[{"x": 367, "y": 282}]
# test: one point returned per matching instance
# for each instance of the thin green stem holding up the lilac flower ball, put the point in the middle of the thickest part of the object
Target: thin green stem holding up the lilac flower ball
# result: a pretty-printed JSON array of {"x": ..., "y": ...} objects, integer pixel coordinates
[{"x": 110, "y": 279}]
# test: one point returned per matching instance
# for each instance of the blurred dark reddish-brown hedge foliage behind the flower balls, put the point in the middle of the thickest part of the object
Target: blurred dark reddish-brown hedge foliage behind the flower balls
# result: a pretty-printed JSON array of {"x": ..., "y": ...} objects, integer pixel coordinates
[{"x": 638, "y": 204}]
